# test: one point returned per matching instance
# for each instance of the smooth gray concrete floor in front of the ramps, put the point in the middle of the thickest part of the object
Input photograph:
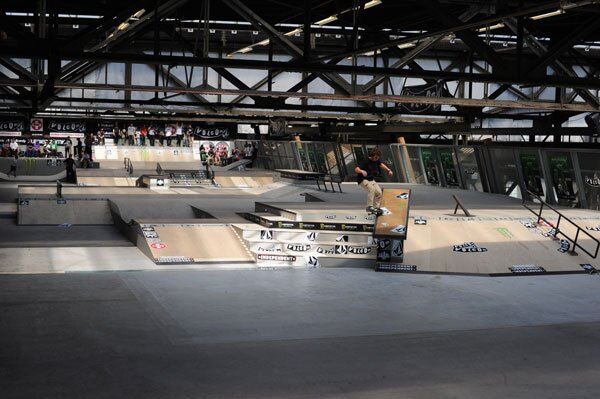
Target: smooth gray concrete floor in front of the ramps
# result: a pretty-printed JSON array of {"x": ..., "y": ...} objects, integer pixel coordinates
[{"x": 328, "y": 333}]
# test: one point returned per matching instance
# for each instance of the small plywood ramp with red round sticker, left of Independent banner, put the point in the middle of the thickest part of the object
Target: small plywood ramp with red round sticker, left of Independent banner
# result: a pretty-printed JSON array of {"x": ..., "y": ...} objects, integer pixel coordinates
[{"x": 206, "y": 243}]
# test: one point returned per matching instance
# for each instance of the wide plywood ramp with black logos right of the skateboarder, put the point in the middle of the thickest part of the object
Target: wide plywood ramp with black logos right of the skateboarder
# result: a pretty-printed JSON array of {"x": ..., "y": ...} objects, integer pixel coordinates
[{"x": 506, "y": 243}]
